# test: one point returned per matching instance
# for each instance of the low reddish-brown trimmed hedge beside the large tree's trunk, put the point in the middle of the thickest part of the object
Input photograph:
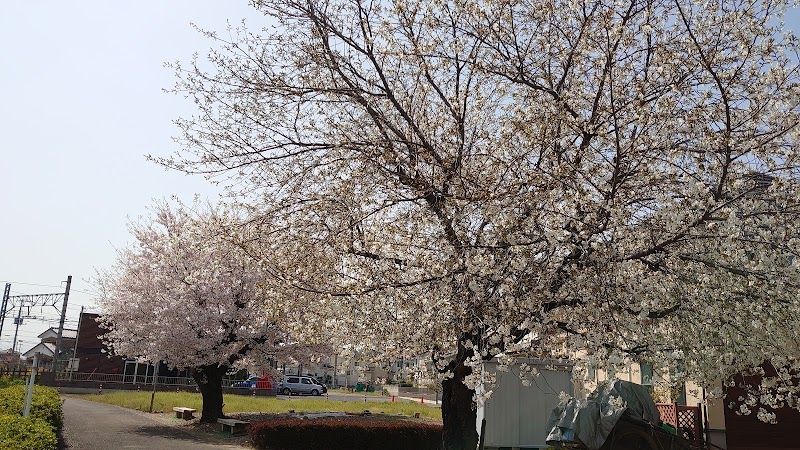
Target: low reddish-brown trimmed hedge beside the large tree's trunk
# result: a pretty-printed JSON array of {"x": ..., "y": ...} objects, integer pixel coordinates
[{"x": 336, "y": 434}]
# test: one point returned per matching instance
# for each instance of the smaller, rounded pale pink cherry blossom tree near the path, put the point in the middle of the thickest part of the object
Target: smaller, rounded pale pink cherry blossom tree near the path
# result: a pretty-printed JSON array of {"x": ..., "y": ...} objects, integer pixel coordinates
[{"x": 185, "y": 294}]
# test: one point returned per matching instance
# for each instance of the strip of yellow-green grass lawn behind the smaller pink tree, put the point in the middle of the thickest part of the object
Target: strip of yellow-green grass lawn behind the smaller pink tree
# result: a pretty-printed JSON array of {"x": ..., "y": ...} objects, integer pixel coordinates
[{"x": 165, "y": 401}]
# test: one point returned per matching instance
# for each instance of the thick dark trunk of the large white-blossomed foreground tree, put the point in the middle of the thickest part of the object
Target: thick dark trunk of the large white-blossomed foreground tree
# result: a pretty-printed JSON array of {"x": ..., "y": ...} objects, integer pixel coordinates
[{"x": 458, "y": 413}]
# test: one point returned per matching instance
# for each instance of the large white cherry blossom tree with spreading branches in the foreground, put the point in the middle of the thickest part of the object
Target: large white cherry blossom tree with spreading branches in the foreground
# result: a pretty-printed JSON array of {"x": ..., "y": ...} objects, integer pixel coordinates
[{"x": 477, "y": 179}]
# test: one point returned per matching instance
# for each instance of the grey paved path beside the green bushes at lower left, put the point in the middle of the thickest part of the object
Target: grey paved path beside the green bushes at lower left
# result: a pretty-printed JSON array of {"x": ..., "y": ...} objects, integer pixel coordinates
[{"x": 97, "y": 426}]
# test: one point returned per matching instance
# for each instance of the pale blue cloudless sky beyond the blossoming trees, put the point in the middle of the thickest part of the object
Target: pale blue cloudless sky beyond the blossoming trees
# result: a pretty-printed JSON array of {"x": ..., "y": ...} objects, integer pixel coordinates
[{"x": 80, "y": 104}]
